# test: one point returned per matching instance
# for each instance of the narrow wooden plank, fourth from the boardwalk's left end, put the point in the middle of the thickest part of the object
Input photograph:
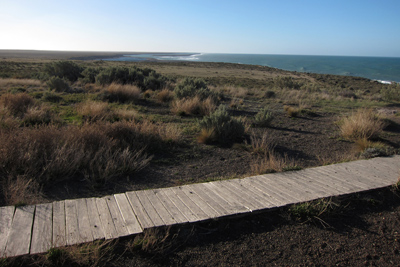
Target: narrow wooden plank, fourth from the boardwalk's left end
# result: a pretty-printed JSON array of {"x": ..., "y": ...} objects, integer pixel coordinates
[{"x": 59, "y": 239}]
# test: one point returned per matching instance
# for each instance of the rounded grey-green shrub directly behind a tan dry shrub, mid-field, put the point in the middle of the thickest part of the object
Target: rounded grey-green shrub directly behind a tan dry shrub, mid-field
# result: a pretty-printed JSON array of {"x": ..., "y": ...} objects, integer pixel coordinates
[{"x": 189, "y": 88}]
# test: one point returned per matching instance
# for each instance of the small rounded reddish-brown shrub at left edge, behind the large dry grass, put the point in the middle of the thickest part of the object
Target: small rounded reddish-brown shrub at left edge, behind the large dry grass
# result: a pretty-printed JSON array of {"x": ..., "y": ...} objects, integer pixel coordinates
[{"x": 16, "y": 105}]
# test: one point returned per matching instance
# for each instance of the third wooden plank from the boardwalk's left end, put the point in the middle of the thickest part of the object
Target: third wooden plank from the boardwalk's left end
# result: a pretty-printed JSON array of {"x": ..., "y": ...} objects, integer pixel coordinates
[{"x": 42, "y": 228}]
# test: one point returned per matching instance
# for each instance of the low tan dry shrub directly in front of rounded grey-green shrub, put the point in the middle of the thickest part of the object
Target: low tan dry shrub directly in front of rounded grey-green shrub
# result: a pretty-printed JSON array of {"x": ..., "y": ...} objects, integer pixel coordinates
[{"x": 193, "y": 106}]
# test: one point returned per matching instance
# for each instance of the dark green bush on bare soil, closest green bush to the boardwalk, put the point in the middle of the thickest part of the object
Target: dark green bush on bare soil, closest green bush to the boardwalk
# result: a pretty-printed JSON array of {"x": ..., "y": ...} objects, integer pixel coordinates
[{"x": 220, "y": 127}]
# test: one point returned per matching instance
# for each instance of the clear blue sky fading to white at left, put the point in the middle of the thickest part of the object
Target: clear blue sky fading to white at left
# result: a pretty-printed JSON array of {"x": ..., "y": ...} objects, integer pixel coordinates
[{"x": 299, "y": 27}]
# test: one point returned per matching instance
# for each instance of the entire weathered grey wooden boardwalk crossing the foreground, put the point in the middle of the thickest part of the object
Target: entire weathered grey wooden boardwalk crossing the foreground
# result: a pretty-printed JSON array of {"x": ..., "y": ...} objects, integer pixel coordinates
[{"x": 37, "y": 228}]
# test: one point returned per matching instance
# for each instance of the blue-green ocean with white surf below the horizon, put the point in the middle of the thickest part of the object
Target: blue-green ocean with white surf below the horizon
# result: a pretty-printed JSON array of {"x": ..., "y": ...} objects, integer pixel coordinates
[{"x": 384, "y": 69}]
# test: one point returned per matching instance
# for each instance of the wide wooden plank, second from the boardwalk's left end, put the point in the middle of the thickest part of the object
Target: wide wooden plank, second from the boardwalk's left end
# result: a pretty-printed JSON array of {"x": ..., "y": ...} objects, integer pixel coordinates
[{"x": 19, "y": 237}]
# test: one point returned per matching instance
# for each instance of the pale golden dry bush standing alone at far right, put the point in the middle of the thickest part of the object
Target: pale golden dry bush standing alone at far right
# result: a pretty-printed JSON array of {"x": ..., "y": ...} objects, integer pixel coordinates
[{"x": 362, "y": 124}]
